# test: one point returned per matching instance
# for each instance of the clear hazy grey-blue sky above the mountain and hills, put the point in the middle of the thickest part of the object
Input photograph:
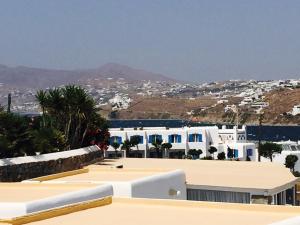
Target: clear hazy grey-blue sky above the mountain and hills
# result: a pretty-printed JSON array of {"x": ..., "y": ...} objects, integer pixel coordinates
[{"x": 193, "y": 40}]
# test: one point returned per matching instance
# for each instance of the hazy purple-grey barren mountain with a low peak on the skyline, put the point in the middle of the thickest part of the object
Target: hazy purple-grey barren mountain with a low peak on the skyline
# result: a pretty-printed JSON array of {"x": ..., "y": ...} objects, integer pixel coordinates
[{"x": 22, "y": 76}]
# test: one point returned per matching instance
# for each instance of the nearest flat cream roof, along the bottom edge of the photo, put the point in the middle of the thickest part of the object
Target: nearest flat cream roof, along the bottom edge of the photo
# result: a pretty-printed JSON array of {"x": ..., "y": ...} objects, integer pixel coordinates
[{"x": 173, "y": 212}]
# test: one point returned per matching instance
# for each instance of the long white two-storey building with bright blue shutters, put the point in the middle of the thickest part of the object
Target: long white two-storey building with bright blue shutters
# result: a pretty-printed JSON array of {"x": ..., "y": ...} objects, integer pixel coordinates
[{"x": 184, "y": 139}]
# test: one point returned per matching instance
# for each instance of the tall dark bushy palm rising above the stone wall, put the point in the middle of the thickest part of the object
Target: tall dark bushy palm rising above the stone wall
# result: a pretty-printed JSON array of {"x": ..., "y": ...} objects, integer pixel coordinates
[{"x": 73, "y": 112}]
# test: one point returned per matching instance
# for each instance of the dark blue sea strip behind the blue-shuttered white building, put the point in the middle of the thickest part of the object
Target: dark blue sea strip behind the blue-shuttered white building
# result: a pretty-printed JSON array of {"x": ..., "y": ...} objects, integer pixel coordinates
[{"x": 268, "y": 132}]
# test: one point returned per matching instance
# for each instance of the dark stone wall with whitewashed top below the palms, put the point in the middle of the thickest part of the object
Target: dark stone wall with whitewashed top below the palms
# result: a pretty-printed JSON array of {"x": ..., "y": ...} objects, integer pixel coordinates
[{"x": 21, "y": 171}]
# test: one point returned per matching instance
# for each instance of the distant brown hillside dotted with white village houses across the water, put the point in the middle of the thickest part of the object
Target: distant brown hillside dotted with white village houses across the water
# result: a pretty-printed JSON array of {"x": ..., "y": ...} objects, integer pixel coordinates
[{"x": 207, "y": 102}]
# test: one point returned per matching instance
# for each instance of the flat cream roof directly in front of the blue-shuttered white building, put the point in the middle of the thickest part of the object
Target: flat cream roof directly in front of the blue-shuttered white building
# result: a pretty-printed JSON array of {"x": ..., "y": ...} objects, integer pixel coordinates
[{"x": 217, "y": 173}]
